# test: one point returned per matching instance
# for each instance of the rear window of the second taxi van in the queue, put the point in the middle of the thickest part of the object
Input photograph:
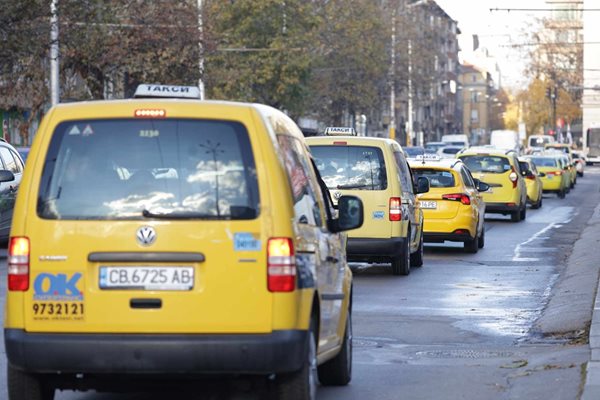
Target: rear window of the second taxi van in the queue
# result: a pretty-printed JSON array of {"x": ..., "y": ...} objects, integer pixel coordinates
[{"x": 351, "y": 167}]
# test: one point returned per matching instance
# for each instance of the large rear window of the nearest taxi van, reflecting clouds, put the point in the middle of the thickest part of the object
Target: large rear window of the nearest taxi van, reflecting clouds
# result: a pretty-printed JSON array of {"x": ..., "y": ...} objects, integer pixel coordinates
[{"x": 136, "y": 168}]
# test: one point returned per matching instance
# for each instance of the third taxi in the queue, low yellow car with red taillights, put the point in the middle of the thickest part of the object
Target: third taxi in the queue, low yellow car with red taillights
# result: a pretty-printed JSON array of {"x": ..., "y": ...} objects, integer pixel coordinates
[{"x": 453, "y": 209}]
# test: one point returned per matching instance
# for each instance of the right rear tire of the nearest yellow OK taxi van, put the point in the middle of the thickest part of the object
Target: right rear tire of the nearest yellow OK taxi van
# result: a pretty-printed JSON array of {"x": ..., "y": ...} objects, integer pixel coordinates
[{"x": 302, "y": 384}]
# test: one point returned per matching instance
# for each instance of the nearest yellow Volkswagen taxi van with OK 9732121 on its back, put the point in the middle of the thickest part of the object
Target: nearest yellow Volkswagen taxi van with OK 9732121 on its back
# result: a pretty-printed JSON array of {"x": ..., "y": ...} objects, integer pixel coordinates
[{"x": 169, "y": 237}]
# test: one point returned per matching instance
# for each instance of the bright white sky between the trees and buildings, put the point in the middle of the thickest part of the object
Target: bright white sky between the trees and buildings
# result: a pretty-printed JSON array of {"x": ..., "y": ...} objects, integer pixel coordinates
[{"x": 498, "y": 31}]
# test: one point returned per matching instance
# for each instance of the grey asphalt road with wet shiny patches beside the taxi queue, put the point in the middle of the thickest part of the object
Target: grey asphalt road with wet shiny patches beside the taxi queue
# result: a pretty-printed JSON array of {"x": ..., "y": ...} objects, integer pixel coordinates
[{"x": 460, "y": 327}]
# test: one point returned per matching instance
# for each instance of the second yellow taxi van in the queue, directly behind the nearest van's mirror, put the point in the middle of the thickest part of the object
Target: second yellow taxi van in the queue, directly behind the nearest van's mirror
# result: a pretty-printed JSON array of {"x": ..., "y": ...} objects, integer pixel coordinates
[{"x": 376, "y": 171}]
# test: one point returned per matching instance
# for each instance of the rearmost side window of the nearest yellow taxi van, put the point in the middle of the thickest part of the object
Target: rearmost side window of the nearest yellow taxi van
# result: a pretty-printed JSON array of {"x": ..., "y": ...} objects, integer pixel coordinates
[{"x": 302, "y": 181}]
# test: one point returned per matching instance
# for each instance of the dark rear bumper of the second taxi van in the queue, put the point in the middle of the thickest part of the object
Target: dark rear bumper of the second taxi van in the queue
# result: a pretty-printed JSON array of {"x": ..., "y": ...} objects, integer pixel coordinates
[{"x": 369, "y": 249}]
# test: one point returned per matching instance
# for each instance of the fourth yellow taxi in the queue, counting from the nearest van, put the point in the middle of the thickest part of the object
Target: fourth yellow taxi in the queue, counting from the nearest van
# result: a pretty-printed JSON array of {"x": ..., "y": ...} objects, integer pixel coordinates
[{"x": 500, "y": 170}]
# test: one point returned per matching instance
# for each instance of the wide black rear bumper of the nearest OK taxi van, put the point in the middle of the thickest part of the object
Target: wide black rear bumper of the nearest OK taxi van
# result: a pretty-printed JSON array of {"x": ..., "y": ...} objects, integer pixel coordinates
[{"x": 277, "y": 352}]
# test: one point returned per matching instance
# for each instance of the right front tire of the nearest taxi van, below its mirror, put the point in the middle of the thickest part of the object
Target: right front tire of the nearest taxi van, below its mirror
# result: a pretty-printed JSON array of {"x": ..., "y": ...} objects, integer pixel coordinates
[{"x": 338, "y": 370}]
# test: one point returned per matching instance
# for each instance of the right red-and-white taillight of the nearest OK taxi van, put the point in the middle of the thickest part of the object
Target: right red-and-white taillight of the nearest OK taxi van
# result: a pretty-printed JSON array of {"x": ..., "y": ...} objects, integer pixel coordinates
[{"x": 281, "y": 265}]
